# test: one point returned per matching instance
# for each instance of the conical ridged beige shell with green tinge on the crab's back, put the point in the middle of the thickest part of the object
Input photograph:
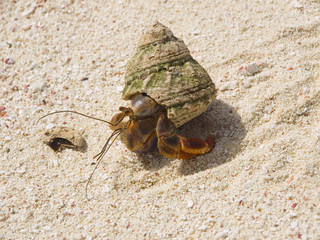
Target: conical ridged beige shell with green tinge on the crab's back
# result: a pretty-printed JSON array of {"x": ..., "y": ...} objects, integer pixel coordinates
[{"x": 163, "y": 68}]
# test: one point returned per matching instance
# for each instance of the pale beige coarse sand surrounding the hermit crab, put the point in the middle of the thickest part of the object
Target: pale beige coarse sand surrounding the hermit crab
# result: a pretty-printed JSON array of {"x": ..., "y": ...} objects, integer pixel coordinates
[{"x": 262, "y": 179}]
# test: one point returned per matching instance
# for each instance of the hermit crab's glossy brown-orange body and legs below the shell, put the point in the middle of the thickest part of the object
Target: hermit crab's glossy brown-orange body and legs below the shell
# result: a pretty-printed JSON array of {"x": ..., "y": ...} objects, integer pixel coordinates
[{"x": 149, "y": 128}]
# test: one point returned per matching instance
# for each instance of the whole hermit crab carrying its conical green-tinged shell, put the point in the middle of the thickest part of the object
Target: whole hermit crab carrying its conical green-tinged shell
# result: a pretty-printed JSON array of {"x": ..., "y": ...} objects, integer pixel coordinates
[{"x": 167, "y": 88}]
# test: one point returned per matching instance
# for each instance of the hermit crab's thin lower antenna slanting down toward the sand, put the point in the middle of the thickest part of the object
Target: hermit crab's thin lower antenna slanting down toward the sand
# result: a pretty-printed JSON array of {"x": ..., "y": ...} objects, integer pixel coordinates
[{"x": 104, "y": 150}]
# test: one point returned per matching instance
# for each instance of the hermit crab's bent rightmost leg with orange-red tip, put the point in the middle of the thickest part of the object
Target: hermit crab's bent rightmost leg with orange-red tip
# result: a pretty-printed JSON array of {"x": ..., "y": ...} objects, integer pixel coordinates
[{"x": 172, "y": 145}]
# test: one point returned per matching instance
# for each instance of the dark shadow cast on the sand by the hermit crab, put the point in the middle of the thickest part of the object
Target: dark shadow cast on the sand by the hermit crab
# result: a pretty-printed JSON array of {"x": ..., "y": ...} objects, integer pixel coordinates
[{"x": 224, "y": 123}]
